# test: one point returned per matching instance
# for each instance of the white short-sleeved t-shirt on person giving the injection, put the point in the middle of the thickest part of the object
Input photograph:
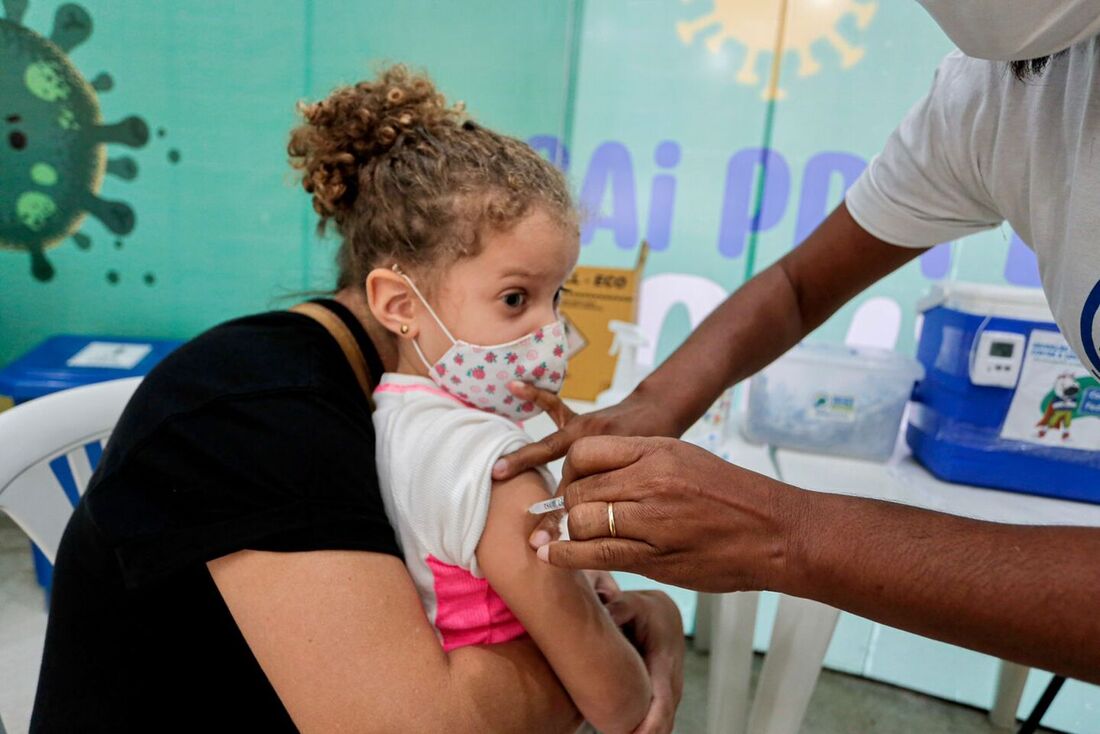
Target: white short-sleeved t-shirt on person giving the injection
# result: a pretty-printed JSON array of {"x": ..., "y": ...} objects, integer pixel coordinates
[{"x": 984, "y": 148}]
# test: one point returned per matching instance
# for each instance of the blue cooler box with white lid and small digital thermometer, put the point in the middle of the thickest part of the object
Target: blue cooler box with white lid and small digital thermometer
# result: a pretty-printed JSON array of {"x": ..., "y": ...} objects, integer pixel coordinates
[{"x": 1005, "y": 402}]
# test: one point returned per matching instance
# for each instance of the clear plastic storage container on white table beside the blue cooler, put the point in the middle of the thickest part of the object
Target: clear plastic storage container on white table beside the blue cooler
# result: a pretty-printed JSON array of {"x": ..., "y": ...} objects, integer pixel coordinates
[{"x": 831, "y": 399}]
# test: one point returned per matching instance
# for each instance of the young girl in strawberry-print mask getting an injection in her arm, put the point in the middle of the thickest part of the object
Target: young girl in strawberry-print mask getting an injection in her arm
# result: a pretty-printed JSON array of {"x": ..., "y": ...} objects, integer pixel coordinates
[{"x": 471, "y": 236}]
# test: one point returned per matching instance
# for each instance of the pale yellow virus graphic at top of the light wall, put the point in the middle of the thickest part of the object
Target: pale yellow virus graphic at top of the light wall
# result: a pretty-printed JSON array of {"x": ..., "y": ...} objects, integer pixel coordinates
[{"x": 755, "y": 26}]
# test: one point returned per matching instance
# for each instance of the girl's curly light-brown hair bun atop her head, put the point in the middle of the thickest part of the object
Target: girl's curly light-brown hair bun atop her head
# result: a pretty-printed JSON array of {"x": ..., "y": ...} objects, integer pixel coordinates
[{"x": 357, "y": 124}]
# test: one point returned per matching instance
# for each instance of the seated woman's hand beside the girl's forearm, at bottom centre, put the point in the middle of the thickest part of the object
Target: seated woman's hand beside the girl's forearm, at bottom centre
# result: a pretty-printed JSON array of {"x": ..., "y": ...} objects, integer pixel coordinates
[{"x": 653, "y": 622}]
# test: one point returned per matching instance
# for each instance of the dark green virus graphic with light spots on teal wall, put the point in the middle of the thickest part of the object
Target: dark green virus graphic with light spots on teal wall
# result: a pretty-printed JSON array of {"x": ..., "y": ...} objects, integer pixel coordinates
[{"x": 52, "y": 140}]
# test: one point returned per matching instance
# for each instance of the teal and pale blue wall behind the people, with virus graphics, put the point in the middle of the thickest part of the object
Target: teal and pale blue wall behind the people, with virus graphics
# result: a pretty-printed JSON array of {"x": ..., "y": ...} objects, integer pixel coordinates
[{"x": 226, "y": 232}]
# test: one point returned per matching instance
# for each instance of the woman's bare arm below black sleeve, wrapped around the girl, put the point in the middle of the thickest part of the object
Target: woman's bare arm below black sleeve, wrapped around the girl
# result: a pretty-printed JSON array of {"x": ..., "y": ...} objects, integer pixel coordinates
[{"x": 345, "y": 642}]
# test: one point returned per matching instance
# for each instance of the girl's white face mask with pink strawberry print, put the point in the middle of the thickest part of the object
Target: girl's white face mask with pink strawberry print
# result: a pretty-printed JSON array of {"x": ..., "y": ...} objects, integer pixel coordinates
[{"x": 479, "y": 376}]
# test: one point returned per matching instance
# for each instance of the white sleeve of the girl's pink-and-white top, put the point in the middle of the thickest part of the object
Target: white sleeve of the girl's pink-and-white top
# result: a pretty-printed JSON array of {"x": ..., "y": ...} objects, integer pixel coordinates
[{"x": 446, "y": 501}]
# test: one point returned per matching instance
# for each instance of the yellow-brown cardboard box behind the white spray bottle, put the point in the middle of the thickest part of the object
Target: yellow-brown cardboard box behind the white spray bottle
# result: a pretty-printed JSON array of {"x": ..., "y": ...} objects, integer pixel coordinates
[{"x": 595, "y": 298}]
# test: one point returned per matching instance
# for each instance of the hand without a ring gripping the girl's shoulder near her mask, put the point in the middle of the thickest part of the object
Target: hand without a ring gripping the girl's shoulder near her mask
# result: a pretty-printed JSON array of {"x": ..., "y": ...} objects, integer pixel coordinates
[{"x": 635, "y": 417}]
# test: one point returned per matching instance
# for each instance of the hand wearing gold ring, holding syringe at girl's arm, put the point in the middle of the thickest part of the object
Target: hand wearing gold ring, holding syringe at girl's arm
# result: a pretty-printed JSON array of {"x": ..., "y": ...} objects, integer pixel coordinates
[{"x": 683, "y": 516}]
